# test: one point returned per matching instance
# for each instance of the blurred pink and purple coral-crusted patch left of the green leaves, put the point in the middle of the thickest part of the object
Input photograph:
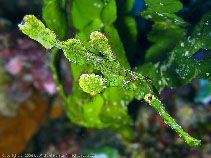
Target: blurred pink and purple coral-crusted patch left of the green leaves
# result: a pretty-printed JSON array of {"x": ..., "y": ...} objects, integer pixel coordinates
[{"x": 28, "y": 65}]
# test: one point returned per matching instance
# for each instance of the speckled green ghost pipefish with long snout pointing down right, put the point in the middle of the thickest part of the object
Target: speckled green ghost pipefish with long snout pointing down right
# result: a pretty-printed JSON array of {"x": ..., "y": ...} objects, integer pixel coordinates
[{"x": 103, "y": 59}]
